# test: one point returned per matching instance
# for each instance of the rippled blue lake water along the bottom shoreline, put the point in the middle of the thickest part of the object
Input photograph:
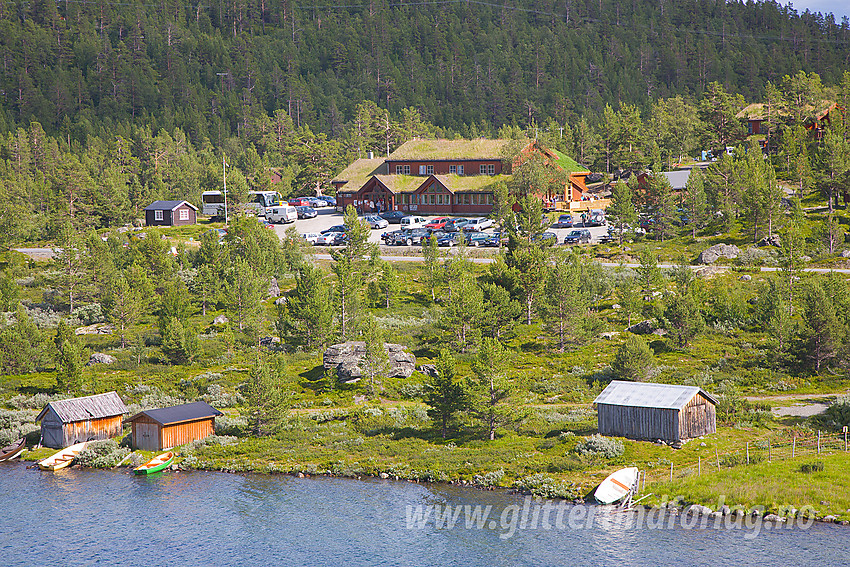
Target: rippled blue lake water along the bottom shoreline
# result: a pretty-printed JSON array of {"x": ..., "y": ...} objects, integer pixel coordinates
[{"x": 88, "y": 517}]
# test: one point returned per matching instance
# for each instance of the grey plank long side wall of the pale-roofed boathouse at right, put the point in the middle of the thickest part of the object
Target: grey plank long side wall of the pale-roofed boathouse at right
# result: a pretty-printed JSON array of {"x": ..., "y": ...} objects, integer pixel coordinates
[{"x": 638, "y": 422}]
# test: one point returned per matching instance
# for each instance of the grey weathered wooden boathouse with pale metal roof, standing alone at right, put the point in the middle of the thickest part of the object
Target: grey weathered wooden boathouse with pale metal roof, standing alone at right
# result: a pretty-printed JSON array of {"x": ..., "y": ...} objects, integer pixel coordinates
[{"x": 639, "y": 410}]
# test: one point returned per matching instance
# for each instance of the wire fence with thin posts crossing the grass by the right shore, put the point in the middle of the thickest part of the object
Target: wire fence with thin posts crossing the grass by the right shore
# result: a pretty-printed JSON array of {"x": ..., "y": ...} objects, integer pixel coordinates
[{"x": 754, "y": 452}]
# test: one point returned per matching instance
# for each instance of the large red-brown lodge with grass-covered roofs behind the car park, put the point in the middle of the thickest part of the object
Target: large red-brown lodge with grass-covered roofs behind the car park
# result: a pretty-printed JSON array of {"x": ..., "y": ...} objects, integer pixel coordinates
[{"x": 451, "y": 177}]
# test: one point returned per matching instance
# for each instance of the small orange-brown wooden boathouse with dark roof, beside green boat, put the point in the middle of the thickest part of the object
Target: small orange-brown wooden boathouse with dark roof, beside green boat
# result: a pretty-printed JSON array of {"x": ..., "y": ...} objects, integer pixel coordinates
[{"x": 164, "y": 428}]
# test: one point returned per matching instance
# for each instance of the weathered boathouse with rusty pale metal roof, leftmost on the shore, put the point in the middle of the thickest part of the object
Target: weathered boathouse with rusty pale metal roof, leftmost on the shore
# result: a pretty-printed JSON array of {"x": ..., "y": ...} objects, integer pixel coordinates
[{"x": 65, "y": 422}]
